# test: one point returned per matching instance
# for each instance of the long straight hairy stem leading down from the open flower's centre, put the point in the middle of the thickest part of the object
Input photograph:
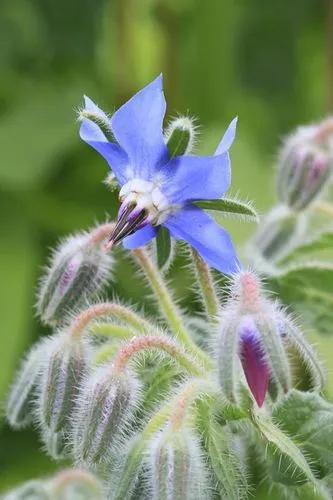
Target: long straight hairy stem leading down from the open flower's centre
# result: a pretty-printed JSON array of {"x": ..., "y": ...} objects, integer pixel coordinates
[{"x": 167, "y": 305}]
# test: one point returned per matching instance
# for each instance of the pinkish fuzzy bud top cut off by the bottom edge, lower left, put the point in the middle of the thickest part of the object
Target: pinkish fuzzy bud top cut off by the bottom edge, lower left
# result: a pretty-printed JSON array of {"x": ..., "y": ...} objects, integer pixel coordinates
[{"x": 75, "y": 484}]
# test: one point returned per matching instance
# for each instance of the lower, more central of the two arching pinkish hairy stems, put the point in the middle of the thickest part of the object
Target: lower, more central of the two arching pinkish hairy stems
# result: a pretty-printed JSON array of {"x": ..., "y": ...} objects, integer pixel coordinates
[{"x": 158, "y": 342}]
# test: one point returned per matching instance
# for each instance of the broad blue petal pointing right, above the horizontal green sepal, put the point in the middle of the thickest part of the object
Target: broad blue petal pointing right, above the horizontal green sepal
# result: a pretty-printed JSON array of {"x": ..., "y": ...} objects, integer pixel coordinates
[{"x": 196, "y": 178}]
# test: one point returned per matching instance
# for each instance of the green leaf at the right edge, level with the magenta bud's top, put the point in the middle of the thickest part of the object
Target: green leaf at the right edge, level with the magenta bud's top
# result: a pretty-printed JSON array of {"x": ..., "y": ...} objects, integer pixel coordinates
[{"x": 308, "y": 289}]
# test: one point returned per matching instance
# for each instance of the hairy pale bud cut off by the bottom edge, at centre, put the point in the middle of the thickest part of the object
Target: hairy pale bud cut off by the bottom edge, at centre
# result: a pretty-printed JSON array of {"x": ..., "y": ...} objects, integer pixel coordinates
[{"x": 176, "y": 469}]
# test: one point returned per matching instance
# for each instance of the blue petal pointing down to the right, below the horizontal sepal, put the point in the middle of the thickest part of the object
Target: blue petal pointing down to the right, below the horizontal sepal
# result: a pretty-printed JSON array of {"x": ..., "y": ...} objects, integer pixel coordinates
[{"x": 212, "y": 242}]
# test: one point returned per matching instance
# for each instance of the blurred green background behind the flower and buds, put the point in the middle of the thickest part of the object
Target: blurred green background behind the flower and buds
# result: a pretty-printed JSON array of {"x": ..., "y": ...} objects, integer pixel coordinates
[{"x": 268, "y": 62}]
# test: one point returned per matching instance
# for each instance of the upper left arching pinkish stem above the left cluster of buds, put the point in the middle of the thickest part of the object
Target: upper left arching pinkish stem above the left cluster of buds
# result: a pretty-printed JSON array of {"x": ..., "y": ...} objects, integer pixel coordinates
[{"x": 118, "y": 311}]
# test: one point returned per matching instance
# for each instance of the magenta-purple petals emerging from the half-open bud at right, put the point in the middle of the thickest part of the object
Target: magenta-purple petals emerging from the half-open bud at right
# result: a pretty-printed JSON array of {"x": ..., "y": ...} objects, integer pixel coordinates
[{"x": 252, "y": 358}]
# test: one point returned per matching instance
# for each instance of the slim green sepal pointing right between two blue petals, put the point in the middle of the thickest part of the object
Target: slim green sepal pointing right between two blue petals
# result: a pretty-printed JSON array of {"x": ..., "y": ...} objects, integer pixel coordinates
[{"x": 230, "y": 207}]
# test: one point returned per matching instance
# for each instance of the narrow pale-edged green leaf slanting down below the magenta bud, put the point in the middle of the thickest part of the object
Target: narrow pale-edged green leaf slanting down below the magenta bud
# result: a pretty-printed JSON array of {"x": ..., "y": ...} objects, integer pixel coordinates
[{"x": 286, "y": 462}]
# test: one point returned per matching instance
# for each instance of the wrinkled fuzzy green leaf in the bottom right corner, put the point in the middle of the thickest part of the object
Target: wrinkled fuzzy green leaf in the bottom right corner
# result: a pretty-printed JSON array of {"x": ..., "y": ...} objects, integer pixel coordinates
[{"x": 309, "y": 418}]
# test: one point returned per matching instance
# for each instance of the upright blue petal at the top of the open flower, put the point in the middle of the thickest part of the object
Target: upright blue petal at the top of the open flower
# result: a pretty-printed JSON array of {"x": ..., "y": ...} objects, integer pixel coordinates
[{"x": 138, "y": 127}]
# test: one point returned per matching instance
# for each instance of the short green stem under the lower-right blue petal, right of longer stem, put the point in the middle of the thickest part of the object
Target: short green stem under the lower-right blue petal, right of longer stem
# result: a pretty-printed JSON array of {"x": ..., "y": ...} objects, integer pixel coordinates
[{"x": 207, "y": 286}]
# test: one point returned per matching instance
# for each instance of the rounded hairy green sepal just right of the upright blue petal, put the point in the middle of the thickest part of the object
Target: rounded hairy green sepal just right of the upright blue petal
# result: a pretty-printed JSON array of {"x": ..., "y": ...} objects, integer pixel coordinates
[{"x": 180, "y": 136}]
